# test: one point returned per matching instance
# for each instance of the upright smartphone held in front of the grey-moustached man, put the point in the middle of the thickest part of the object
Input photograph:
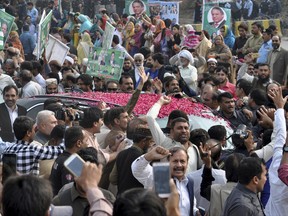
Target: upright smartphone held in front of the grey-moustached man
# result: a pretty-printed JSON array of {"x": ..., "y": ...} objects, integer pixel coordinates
[{"x": 161, "y": 173}]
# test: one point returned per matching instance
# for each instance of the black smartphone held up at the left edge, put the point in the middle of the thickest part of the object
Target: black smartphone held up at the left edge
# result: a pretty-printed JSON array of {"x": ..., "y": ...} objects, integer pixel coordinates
[{"x": 9, "y": 166}]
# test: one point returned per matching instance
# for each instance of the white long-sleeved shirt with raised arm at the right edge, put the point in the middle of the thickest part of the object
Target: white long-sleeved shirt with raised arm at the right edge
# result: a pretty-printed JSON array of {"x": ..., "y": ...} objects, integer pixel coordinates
[{"x": 278, "y": 201}]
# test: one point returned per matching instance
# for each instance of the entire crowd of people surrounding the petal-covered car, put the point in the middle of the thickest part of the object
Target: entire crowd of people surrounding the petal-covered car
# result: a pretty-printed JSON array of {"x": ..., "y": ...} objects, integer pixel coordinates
[{"x": 241, "y": 79}]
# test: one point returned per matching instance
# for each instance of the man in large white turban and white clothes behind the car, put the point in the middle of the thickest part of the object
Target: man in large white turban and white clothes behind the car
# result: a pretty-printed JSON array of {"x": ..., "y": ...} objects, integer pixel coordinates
[{"x": 187, "y": 71}]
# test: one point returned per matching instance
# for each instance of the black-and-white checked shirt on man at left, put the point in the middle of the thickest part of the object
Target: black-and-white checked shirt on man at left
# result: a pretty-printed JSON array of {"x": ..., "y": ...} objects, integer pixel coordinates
[{"x": 28, "y": 155}]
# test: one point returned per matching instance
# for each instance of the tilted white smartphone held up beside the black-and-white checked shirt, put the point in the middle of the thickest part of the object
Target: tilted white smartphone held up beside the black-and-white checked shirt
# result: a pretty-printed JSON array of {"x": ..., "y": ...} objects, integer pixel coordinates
[{"x": 74, "y": 164}]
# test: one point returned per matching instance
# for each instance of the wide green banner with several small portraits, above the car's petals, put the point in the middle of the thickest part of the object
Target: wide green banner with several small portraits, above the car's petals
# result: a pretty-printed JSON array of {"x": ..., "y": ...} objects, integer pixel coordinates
[{"x": 105, "y": 63}]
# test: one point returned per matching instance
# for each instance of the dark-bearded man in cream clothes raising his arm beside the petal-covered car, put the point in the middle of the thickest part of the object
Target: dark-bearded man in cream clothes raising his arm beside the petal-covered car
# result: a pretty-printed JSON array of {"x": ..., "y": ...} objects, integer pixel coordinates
[{"x": 178, "y": 136}]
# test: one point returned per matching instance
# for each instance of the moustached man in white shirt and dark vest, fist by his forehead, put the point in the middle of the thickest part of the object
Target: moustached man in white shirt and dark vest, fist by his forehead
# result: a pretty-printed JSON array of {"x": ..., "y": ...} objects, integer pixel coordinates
[{"x": 178, "y": 160}]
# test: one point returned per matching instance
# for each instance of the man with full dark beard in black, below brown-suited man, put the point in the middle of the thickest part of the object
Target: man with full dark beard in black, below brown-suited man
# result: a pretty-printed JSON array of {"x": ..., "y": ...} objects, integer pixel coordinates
[{"x": 263, "y": 78}]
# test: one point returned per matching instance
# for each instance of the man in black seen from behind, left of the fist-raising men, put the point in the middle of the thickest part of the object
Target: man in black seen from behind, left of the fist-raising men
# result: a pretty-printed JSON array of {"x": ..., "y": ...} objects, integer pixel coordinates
[{"x": 122, "y": 173}]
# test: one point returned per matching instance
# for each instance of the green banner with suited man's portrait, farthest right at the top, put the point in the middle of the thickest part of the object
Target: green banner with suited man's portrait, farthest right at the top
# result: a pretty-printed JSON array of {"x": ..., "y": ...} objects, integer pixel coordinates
[{"x": 214, "y": 18}]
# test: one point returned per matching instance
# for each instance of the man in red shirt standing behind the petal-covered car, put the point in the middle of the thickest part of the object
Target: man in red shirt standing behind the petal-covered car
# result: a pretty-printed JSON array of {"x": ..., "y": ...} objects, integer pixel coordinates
[{"x": 222, "y": 77}]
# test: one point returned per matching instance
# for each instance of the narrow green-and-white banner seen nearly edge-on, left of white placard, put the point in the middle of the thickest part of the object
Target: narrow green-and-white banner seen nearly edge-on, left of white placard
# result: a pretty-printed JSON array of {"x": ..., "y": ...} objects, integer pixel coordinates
[{"x": 43, "y": 33}]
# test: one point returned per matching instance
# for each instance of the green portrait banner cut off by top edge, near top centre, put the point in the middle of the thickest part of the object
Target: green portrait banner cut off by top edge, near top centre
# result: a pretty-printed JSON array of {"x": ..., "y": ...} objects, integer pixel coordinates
[{"x": 136, "y": 7}]
